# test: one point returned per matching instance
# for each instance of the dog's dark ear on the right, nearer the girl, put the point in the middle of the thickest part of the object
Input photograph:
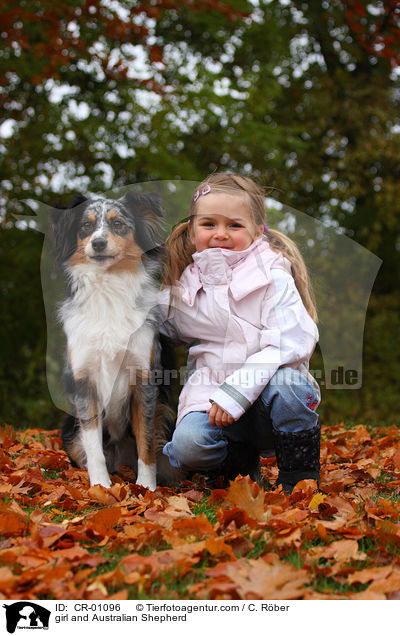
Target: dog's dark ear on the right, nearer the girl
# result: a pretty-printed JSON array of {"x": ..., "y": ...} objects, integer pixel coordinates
[{"x": 147, "y": 211}]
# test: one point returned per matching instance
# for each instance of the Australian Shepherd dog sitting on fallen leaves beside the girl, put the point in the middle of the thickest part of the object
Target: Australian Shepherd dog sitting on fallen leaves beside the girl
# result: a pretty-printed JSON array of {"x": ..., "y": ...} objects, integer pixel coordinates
[{"x": 108, "y": 250}]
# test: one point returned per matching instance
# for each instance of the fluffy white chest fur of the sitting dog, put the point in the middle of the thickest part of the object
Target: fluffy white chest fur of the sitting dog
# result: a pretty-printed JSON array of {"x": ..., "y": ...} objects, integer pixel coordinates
[{"x": 108, "y": 337}]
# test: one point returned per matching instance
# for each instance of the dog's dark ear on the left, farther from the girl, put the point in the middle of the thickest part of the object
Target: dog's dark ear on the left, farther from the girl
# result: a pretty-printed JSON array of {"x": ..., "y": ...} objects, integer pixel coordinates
[{"x": 65, "y": 219}]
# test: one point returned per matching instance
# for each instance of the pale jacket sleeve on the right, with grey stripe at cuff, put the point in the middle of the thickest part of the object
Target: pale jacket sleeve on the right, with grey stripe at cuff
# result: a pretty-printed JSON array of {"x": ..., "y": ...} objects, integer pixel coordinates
[{"x": 288, "y": 337}]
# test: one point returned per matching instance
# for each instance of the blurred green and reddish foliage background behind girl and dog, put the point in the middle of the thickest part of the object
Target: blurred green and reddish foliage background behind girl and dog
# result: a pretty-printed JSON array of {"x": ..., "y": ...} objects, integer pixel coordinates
[{"x": 304, "y": 96}]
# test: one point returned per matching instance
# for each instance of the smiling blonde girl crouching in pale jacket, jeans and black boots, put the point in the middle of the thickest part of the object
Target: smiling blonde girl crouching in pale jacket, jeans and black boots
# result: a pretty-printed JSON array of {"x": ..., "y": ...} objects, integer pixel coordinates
[{"x": 238, "y": 296}]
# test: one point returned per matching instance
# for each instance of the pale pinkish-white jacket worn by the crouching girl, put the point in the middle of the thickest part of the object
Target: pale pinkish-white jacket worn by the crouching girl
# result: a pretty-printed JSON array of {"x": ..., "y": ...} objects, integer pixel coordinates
[{"x": 241, "y": 318}]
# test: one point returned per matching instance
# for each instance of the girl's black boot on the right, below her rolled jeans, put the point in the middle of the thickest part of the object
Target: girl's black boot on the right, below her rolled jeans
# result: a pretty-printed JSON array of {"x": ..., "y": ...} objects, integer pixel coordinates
[{"x": 297, "y": 456}]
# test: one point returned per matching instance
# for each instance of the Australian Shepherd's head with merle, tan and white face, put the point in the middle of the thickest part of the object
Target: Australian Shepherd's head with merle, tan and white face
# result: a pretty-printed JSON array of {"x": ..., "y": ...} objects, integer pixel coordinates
[{"x": 109, "y": 234}]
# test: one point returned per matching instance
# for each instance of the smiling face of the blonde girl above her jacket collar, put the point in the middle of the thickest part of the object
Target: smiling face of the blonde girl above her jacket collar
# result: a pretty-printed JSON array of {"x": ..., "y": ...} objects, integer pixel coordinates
[{"x": 223, "y": 220}]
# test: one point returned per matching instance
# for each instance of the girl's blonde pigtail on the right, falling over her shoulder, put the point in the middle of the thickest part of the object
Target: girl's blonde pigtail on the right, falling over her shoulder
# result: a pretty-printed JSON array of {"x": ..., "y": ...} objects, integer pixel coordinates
[{"x": 281, "y": 243}]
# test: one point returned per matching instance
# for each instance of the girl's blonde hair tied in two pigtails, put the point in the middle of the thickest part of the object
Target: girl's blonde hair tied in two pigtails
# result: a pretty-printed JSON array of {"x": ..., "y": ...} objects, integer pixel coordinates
[{"x": 179, "y": 248}]
